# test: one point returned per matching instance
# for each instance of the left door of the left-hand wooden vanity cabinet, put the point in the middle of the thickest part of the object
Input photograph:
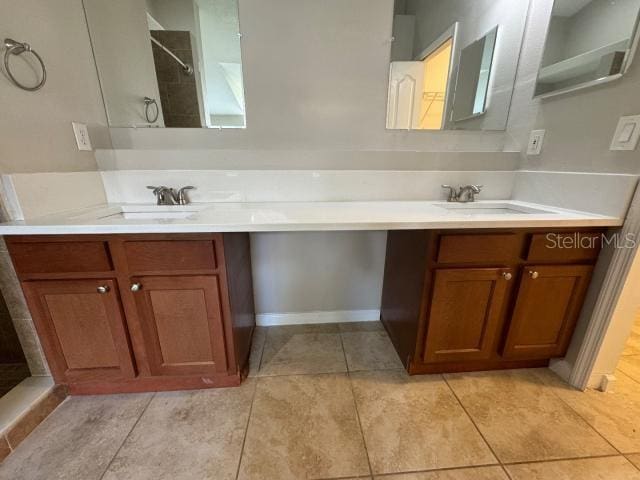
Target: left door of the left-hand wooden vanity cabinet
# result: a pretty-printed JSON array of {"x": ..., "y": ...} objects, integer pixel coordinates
[{"x": 82, "y": 329}]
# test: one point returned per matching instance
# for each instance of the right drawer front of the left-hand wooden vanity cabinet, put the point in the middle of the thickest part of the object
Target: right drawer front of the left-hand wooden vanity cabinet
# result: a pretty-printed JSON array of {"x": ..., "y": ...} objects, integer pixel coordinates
[{"x": 170, "y": 255}]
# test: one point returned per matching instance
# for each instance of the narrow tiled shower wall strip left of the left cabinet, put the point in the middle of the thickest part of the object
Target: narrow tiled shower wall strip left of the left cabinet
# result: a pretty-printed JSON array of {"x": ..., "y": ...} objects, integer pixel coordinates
[{"x": 22, "y": 320}]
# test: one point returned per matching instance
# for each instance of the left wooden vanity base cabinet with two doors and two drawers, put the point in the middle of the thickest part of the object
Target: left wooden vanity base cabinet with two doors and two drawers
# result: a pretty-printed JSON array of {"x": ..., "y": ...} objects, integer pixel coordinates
[{"x": 133, "y": 313}]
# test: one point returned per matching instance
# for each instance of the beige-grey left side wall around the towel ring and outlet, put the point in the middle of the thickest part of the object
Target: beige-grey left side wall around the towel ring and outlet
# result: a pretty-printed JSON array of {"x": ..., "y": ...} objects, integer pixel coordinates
[{"x": 35, "y": 127}]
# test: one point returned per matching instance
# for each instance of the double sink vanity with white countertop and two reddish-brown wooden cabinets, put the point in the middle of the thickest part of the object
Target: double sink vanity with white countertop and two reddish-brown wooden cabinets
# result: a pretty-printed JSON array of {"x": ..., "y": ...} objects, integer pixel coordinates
[{"x": 130, "y": 298}]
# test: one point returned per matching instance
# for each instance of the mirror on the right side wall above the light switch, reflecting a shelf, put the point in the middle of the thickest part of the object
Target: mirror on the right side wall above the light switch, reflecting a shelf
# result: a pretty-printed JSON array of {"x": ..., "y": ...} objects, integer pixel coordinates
[{"x": 588, "y": 42}]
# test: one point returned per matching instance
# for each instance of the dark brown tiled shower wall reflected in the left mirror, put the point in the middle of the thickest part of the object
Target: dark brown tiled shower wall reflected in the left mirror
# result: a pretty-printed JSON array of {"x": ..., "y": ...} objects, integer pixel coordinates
[{"x": 178, "y": 91}]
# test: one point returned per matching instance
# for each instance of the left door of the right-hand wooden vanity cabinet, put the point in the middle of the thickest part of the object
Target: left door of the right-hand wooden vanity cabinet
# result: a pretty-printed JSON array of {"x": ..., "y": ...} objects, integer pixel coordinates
[{"x": 465, "y": 314}]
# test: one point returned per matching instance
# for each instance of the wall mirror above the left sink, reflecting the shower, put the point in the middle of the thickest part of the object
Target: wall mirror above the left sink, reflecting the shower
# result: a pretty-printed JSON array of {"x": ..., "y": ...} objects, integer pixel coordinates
[{"x": 168, "y": 63}]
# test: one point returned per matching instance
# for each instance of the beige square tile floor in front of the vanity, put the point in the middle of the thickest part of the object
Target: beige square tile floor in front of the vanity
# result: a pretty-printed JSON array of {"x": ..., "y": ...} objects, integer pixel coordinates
[{"x": 332, "y": 402}]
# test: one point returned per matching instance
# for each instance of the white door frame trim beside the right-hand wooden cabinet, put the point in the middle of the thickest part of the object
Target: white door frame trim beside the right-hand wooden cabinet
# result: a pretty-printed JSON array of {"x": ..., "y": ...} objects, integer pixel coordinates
[{"x": 602, "y": 298}]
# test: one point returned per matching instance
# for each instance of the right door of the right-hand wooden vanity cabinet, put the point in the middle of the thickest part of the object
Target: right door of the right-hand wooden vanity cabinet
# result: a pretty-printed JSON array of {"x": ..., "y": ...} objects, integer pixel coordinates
[{"x": 546, "y": 310}]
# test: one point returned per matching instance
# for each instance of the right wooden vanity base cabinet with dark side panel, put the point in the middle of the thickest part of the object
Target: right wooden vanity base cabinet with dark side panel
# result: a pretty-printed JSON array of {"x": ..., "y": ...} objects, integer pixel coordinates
[{"x": 485, "y": 299}]
